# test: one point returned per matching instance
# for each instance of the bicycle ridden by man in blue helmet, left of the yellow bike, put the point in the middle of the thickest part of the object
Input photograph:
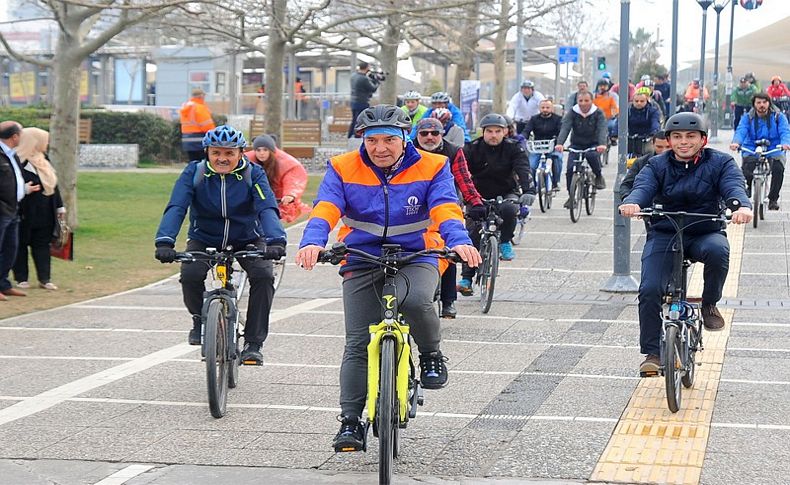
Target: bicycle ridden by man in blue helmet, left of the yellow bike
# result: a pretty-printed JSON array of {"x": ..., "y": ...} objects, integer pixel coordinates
[{"x": 222, "y": 321}]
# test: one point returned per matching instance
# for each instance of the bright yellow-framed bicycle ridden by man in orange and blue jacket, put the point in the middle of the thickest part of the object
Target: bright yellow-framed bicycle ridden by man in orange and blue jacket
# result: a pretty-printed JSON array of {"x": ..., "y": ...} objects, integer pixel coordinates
[{"x": 394, "y": 391}]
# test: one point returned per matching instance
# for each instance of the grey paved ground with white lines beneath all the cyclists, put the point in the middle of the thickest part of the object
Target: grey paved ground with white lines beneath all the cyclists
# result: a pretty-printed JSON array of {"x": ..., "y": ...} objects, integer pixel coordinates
[{"x": 537, "y": 387}]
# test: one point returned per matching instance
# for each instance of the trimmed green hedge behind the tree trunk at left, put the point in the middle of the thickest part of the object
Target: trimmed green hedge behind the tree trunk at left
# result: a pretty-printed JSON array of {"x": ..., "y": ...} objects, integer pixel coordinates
[{"x": 159, "y": 139}]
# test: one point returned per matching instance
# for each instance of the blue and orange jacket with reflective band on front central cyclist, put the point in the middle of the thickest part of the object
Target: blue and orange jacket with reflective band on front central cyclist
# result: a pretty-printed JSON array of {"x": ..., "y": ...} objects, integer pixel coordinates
[{"x": 415, "y": 207}]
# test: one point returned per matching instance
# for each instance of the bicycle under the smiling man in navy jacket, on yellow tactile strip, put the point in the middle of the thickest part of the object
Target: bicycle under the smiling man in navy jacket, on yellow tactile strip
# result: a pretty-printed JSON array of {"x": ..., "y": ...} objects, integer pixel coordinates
[{"x": 681, "y": 330}]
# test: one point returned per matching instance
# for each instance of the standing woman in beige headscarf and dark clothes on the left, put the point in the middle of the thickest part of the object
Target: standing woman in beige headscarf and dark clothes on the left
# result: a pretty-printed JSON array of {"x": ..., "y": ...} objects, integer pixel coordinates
[{"x": 39, "y": 211}]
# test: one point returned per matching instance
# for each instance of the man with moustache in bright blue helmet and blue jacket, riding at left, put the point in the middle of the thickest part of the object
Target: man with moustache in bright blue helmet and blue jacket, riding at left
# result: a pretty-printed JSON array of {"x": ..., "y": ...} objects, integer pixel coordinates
[{"x": 230, "y": 203}]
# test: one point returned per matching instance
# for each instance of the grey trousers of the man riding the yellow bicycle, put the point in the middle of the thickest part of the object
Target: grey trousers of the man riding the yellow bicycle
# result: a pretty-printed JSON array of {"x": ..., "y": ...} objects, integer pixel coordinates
[{"x": 416, "y": 286}]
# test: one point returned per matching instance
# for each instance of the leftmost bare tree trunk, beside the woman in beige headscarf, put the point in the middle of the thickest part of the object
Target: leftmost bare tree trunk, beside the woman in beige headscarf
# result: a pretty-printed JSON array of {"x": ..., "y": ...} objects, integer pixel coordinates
[{"x": 63, "y": 146}]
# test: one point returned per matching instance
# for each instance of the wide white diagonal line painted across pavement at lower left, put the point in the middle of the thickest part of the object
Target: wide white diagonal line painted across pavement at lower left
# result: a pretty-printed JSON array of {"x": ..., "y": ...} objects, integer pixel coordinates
[{"x": 57, "y": 395}]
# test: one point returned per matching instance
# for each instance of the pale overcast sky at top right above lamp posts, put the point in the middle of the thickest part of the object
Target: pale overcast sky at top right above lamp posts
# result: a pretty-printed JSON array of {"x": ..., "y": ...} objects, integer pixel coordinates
[{"x": 653, "y": 14}]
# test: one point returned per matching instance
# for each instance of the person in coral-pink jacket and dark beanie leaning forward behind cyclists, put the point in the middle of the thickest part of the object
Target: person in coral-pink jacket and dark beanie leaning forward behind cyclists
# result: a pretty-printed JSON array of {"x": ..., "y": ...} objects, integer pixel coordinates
[{"x": 286, "y": 175}]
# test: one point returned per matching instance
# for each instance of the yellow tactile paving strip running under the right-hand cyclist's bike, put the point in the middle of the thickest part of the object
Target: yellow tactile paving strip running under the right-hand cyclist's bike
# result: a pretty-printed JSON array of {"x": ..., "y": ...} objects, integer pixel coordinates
[{"x": 652, "y": 445}]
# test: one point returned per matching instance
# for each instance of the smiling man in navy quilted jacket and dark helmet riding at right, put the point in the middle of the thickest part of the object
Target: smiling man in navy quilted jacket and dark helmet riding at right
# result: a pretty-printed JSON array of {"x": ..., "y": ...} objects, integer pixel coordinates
[{"x": 687, "y": 178}]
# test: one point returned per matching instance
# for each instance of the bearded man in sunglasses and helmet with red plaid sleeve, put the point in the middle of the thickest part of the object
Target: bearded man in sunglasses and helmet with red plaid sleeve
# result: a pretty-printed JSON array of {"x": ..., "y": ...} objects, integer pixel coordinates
[{"x": 430, "y": 139}]
